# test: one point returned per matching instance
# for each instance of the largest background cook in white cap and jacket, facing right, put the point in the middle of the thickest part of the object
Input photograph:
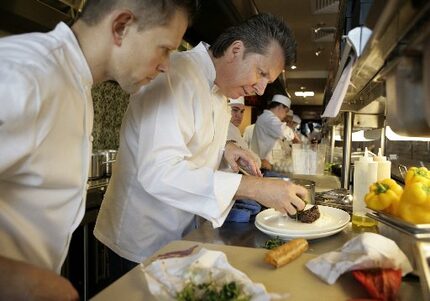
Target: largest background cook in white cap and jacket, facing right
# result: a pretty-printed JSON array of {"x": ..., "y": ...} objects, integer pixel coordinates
[{"x": 270, "y": 131}]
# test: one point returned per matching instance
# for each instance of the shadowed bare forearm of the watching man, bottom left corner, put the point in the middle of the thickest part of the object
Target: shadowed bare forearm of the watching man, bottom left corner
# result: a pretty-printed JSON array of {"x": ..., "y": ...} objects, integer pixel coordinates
[{"x": 22, "y": 281}]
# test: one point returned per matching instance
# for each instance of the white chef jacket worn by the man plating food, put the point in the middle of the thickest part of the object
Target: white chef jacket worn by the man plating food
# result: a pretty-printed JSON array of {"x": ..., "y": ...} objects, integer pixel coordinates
[{"x": 172, "y": 141}]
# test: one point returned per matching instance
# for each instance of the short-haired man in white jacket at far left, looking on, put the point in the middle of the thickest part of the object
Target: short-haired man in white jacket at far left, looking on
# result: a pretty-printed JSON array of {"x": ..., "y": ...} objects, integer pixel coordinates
[{"x": 46, "y": 121}]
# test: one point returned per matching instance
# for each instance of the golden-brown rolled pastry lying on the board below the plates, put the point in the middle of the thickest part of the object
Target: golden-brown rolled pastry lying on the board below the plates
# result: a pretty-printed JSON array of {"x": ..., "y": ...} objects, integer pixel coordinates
[{"x": 286, "y": 253}]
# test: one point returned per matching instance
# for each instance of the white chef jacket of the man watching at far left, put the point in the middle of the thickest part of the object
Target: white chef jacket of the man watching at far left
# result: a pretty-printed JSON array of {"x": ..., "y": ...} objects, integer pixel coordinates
[{"x": 46, "y": 120}]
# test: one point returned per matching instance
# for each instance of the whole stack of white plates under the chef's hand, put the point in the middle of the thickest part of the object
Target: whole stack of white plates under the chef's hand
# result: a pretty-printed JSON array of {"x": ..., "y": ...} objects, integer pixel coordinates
[{"x": 276, "y": 224}]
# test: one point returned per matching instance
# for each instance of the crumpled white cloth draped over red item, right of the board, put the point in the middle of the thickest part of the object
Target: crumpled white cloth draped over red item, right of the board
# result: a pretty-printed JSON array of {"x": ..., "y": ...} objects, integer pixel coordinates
[{"x": 366, "y": 251}]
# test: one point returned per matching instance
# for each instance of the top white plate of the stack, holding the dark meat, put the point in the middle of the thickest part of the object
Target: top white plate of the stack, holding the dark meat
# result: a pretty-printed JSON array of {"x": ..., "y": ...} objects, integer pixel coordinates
[{"x": 330, "y": 219}]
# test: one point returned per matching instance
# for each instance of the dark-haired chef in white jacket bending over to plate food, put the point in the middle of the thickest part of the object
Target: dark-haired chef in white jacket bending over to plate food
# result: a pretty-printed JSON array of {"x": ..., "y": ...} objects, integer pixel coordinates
[{"x": 171, "y": 147}]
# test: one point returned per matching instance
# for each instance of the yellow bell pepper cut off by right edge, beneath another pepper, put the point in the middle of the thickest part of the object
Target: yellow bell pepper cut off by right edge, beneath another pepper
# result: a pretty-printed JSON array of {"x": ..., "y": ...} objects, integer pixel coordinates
[{"x": 415, "y": 203}]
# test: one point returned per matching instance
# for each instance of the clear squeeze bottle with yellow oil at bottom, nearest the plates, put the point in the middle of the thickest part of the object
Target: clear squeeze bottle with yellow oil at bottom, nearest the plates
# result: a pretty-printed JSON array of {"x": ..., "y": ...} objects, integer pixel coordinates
[{"x": 365, "y": 174}]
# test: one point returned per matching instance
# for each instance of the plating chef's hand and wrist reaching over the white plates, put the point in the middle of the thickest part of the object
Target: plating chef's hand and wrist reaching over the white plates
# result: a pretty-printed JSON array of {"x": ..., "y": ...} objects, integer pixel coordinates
[{"x": 281, "y": 195}]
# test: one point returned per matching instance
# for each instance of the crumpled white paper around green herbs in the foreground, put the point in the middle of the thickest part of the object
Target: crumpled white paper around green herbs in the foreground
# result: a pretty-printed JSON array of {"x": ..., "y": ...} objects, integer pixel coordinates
[{"x": 167, "y": 277}]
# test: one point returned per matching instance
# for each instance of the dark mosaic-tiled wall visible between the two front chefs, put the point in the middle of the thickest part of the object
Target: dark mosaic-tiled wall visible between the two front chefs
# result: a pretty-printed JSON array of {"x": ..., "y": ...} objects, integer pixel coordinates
[{"x": 110, "y": 103}]
